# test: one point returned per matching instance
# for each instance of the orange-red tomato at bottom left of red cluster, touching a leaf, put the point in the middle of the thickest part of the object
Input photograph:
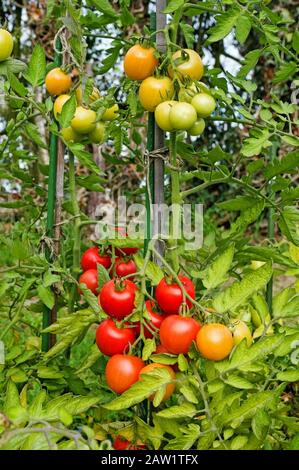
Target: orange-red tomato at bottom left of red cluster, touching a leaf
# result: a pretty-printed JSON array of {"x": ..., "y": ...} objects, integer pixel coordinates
[{"x": 122, "y": 372}]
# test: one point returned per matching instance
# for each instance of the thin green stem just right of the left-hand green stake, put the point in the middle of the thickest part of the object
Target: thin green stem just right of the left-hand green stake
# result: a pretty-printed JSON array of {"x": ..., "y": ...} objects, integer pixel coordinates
[{"x": 76, "y": 230}]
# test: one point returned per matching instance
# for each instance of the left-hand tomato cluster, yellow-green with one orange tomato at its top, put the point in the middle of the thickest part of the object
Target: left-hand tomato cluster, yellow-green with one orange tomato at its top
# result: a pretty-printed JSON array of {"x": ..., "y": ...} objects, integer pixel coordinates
[{"x": 84, "y": 125}]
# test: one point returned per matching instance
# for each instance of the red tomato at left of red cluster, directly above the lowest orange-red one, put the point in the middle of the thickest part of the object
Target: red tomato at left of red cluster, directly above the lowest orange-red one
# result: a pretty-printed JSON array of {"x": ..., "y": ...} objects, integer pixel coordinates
[{"x": 112, "y": 340}]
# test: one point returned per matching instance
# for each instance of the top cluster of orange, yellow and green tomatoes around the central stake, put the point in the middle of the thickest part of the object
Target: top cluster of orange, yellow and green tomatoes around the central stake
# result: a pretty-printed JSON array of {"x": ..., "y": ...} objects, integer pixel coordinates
[{"x": 157, "y": 93}]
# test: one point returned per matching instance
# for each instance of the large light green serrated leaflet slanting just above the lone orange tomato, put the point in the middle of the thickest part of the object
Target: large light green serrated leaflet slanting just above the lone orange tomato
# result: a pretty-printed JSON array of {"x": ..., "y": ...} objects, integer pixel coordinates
[{"x": 240, "y": 291}]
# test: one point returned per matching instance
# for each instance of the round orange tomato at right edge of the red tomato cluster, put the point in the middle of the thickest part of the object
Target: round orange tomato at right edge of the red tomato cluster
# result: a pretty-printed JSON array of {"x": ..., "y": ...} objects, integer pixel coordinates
[{"x": 214, "y": 341}]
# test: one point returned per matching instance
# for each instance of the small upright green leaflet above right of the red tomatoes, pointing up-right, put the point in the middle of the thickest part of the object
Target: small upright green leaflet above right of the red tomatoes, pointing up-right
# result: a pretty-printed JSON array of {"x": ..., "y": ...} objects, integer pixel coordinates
[{"x": 215, "y": 273}]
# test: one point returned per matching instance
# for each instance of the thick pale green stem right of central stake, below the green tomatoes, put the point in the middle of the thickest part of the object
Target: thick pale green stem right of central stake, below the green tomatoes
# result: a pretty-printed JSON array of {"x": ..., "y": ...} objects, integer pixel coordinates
[{"x": 176, "y": 205}]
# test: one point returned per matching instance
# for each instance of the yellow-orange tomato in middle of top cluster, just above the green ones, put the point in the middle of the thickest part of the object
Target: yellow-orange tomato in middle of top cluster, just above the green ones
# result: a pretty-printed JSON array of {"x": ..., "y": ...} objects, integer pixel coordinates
[{"x": 154, "y": 91}]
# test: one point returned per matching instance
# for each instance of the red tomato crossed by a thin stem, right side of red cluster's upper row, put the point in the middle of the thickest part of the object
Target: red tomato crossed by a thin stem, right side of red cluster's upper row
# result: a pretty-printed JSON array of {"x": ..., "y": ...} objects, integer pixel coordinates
[{"x": 170, "y": 296}]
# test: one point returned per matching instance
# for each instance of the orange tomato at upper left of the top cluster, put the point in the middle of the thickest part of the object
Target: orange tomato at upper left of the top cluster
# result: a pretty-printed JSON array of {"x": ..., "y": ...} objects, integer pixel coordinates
[{"x": 140, "y": 62}]
